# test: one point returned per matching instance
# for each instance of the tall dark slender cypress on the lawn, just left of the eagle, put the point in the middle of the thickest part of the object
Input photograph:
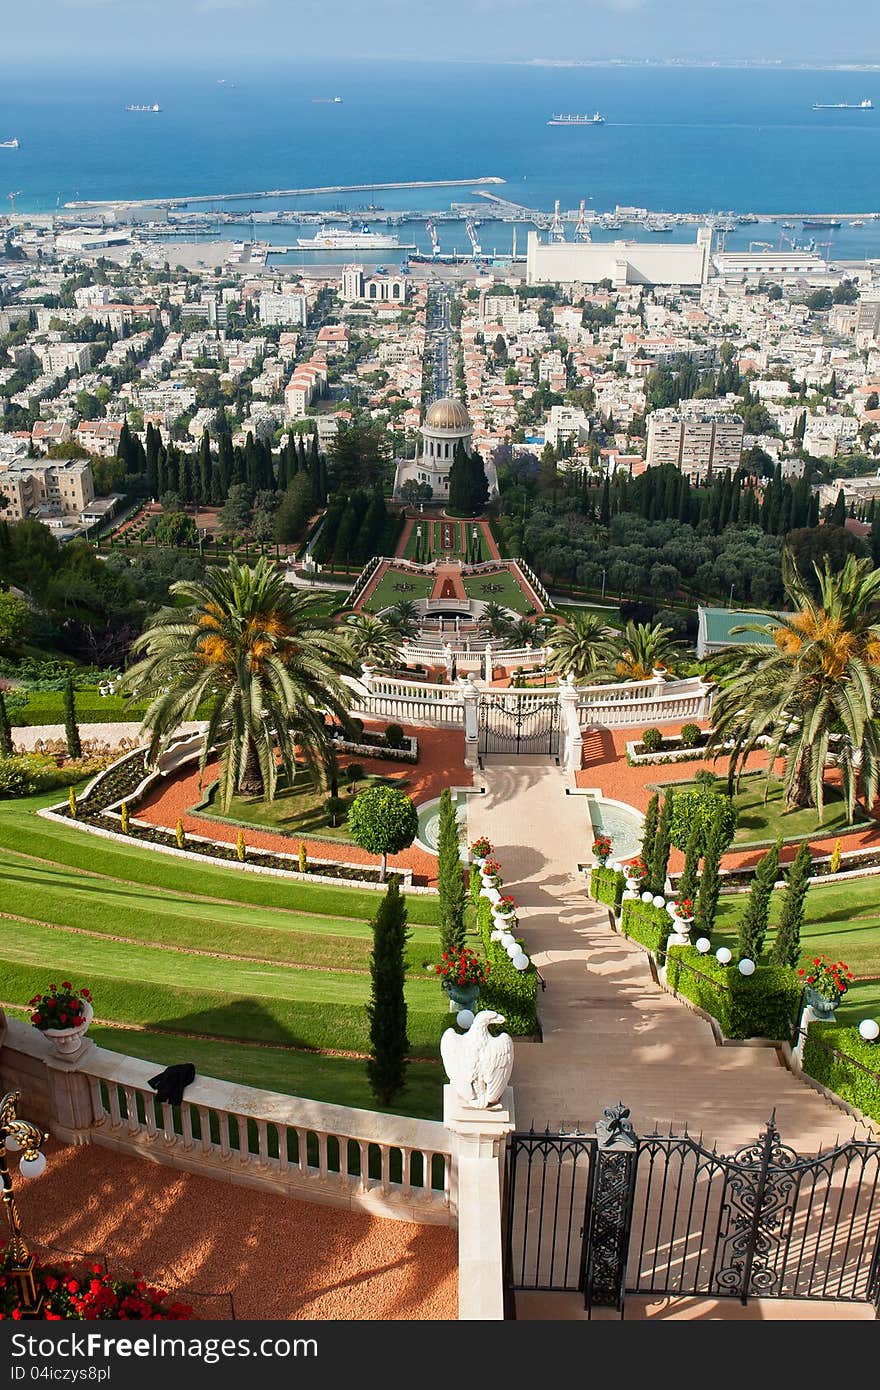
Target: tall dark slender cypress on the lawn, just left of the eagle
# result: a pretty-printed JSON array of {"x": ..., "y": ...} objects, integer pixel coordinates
[{"x": 387, "y": 1008}]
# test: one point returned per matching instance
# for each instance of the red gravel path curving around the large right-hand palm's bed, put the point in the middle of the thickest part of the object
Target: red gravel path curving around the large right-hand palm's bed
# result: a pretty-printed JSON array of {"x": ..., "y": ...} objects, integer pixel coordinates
[{"x": 605, "y": 765}]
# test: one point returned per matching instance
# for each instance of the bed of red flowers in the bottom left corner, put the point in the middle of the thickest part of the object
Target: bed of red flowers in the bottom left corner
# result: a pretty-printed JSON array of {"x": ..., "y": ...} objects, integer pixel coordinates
[{"x": 90, "y": 1293}]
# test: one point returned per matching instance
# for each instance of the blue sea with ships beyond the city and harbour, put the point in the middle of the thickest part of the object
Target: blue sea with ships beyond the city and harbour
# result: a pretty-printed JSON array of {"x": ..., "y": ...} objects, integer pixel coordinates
[{"x": 676, "y": 140}]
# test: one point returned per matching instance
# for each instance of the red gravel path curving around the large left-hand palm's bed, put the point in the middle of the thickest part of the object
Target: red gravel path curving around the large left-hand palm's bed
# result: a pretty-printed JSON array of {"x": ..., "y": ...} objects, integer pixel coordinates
[{"x": 441, "y": 764}]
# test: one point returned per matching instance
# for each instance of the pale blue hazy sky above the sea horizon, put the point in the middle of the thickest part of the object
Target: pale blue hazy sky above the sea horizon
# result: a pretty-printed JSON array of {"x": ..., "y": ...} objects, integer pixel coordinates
[{"x": 193, "y": 33}]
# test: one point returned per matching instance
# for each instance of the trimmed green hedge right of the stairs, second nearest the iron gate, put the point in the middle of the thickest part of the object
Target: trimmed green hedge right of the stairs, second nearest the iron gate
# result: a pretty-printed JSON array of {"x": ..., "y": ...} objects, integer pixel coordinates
[{"x": 765, "y": 1004}]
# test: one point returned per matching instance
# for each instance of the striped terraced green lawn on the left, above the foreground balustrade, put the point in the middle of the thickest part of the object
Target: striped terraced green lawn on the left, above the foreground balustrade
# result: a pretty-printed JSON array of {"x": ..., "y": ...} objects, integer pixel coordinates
[{"x": 251, "y": 978}]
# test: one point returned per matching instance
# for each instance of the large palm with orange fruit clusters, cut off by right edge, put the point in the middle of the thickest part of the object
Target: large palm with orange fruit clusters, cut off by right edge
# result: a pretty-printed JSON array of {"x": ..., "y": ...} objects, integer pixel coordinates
[{"x": 817, "y": 685}]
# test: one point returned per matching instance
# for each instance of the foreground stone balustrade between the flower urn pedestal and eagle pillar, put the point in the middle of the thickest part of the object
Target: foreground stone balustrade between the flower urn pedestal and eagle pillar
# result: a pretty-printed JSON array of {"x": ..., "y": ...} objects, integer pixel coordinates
[{"x": 390, "y": 1166}]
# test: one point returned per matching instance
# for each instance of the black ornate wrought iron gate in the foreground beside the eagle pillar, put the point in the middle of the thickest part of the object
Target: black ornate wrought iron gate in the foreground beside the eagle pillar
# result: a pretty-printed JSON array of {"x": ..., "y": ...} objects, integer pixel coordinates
[{"x": 611, "y": 1213}]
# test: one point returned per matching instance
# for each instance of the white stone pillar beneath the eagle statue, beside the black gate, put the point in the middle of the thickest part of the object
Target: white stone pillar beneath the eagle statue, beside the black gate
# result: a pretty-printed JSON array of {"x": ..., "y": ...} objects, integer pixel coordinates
[{"x": 480, "y": 1139}]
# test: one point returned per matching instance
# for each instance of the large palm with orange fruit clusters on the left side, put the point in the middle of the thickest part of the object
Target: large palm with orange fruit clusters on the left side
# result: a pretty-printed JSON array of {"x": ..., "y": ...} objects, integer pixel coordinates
[{"x": 254, "y": 654}]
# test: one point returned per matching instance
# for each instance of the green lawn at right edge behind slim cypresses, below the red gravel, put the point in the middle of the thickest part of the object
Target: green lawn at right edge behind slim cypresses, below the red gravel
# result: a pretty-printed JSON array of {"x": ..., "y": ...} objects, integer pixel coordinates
[{"x": 843, "y": 921}]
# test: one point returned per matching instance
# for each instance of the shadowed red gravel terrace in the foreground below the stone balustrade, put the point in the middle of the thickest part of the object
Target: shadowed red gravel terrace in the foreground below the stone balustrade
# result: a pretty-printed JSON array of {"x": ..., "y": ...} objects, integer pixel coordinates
[{"x": 277, "y": 1257}]
